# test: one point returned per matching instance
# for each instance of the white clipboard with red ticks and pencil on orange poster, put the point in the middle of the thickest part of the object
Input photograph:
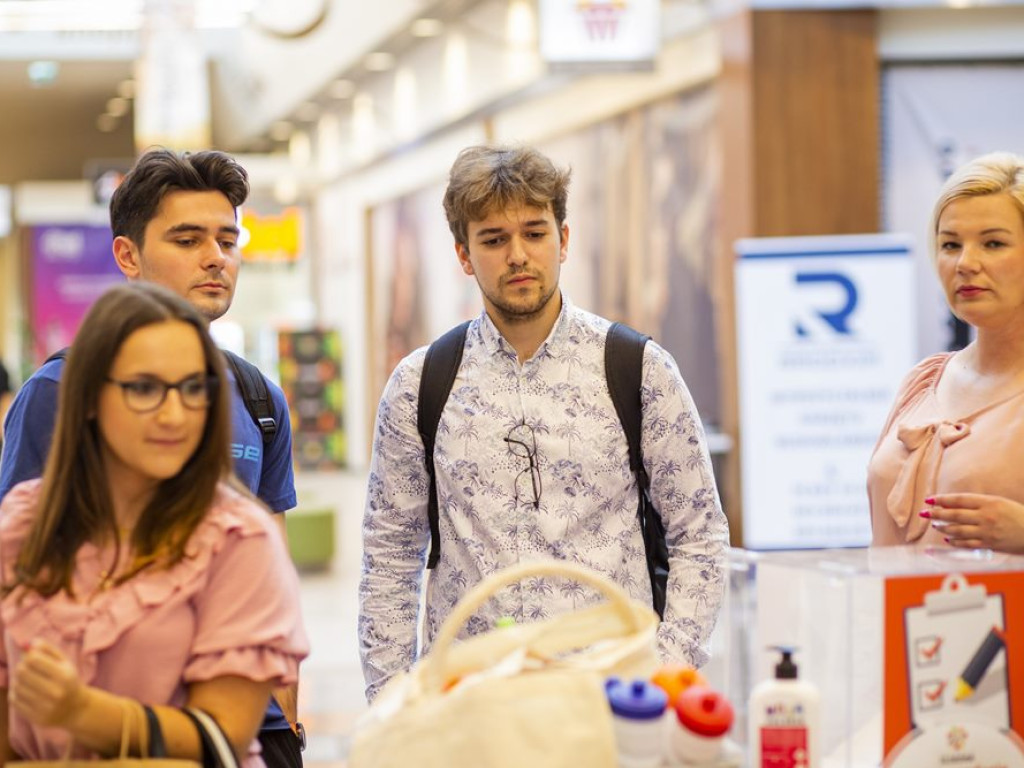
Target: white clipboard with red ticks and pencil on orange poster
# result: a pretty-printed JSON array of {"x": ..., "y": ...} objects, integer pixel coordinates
[{"x": 956, "y": 657}]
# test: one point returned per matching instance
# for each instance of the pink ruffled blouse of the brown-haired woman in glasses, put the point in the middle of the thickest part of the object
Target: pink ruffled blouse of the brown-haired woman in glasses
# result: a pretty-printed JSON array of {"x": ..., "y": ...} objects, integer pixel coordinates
[{"x": 230, "y": 608}]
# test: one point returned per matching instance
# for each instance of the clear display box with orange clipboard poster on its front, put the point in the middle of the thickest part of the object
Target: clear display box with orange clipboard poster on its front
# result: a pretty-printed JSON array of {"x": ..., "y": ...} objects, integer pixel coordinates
[{"x": 913, "y": 651}]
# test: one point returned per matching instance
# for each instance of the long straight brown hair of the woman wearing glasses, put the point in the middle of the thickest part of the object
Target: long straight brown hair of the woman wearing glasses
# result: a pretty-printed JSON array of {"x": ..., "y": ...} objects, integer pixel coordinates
[{"x": 75, "y": 505}]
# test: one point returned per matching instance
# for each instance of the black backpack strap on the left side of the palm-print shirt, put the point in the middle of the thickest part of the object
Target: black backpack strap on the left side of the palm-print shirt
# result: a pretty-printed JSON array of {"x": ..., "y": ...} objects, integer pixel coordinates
[{"x": 440, "y": 369}]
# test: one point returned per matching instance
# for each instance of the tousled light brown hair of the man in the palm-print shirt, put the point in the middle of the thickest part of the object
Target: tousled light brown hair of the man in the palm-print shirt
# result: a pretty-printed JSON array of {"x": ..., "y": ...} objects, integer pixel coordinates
[{"x": 485, "y": 180}]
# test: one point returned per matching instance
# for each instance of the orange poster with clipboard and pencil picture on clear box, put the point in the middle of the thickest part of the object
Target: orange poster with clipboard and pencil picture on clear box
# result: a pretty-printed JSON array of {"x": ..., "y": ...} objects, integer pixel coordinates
[{"x": 954, "y": 667}]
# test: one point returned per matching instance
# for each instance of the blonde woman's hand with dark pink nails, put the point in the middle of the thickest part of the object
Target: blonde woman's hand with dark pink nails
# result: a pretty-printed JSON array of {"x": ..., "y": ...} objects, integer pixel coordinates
[{"x": 978, "y": 521}]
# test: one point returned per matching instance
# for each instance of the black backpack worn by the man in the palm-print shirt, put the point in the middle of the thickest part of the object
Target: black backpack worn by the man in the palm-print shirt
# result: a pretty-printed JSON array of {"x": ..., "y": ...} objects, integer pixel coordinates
[{"x": 624, "y": 371}]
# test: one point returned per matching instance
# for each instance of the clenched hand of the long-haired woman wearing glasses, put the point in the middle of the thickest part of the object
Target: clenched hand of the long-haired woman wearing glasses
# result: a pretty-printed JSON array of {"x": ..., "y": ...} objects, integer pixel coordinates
[{"x": 46, "y": 689}]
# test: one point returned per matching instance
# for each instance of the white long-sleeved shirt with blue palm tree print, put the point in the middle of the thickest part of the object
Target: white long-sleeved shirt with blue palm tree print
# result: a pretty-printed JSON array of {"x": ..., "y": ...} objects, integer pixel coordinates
[{"x": 532, "y": 463}]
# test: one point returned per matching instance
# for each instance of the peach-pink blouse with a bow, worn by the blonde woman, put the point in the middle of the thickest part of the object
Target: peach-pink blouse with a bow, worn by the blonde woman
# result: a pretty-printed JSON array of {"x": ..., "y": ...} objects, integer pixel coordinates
[{"x": 926, "y": 451}]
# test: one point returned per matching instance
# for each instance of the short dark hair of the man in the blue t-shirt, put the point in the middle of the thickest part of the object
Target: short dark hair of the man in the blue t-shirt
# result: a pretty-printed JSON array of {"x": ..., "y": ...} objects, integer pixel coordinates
[{"x": 138, "y": 199}]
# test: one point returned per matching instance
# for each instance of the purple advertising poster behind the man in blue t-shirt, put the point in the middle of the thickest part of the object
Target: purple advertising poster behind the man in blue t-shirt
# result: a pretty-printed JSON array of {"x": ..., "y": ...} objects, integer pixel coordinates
[{"x": 72, "y": 266}]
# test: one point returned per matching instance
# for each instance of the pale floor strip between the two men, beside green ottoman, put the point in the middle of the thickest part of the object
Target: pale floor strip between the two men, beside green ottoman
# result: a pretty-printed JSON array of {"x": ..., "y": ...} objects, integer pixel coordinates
[{"x": 331, "y": 682}]
